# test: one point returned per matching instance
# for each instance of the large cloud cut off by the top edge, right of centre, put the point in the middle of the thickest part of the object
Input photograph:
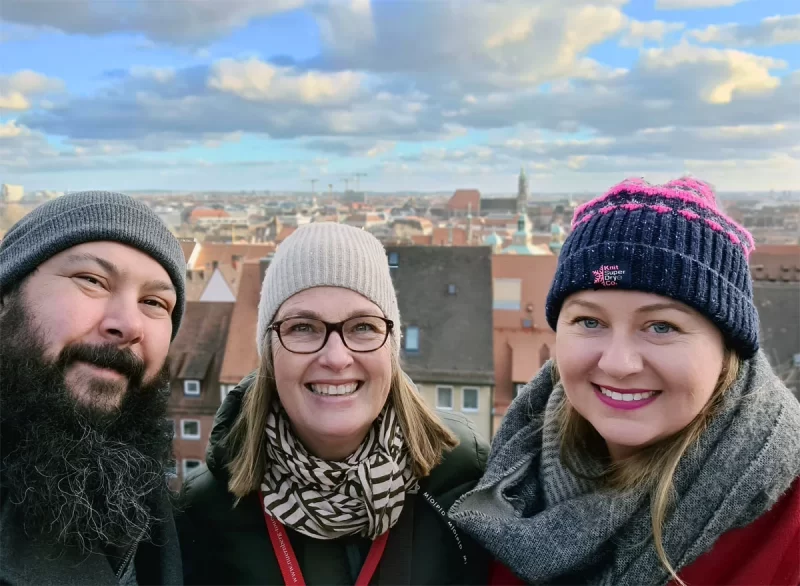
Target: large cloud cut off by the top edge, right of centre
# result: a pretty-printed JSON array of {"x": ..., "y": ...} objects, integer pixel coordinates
[{"x": 469, "y": 45}]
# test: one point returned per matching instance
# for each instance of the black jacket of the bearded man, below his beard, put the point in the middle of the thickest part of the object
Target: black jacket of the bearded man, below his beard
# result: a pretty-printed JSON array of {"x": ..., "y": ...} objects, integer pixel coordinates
[{"x": 23, "y": 561}]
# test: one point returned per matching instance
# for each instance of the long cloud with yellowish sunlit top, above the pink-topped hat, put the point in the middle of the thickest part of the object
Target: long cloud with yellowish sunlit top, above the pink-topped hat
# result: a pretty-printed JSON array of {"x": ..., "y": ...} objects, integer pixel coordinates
[{"x": 677, "y": 87}]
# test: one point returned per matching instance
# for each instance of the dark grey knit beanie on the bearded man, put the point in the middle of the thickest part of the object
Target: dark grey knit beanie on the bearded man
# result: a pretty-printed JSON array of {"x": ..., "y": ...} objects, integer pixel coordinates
[{"x": 90, "y": 216}]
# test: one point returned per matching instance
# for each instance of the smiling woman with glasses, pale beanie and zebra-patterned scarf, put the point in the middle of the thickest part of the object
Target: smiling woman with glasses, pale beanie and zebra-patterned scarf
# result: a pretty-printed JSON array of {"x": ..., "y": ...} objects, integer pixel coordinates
[{"x": 325, "y": 466}]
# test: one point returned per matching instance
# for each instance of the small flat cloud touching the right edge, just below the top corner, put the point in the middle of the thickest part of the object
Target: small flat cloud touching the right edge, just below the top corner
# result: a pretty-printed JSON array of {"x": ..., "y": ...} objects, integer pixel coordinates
[{"x": 772, "y": 31}]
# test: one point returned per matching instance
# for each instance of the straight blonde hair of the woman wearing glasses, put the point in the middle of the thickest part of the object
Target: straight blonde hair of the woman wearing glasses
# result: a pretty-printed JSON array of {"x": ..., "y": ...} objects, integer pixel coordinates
[{"x": 427, "y": 438}]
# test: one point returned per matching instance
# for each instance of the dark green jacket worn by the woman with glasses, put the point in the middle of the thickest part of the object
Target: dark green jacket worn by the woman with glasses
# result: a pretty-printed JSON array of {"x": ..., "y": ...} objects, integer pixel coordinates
[{"x": 223, "y": 544}]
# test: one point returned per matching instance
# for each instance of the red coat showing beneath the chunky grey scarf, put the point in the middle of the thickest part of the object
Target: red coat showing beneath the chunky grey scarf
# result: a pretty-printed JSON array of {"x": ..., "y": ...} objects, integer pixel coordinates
[{"x": 766, "y": 552}]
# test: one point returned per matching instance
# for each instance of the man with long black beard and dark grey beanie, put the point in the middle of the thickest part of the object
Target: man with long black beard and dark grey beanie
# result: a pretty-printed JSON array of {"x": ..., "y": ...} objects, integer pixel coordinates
[{"x": 91, "y": 295}]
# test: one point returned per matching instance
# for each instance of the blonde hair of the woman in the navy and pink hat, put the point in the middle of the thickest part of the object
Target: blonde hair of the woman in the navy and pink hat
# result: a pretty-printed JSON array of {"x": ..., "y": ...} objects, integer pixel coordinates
[{"x": 652, "y": 467}]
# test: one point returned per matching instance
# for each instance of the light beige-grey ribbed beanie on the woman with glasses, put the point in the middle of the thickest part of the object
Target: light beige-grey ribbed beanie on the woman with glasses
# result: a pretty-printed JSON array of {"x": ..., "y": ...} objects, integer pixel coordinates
[{"x": 327, "y": 254}]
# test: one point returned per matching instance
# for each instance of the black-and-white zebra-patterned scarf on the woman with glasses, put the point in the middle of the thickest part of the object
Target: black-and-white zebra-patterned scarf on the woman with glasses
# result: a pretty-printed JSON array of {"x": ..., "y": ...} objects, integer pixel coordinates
[{"x": 362, "y": 495}]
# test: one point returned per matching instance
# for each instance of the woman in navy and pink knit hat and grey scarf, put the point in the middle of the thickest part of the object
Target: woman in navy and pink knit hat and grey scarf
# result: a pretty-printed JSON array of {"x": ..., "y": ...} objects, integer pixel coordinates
[{"x": 658, "y": 447}]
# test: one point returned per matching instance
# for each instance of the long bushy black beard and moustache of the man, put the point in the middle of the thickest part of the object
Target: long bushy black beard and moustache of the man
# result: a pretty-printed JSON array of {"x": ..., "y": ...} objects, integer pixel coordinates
[{"x": 81, "y": 475}]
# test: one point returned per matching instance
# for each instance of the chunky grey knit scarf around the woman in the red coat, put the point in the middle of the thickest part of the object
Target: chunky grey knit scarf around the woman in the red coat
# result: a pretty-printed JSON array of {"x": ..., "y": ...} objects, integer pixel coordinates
[{"x": 547, "y": 526}]
